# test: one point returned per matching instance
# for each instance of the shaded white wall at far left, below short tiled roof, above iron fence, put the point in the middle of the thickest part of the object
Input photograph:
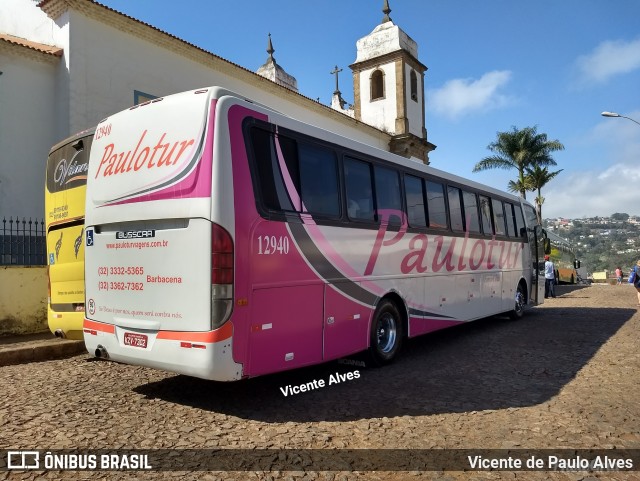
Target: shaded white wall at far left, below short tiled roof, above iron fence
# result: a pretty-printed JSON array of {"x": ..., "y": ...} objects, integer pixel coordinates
[{"x": 27, "y": 132}]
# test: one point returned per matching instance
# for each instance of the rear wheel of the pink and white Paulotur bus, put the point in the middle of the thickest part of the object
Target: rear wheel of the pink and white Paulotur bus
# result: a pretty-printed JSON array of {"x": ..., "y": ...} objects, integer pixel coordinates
[{"x": 386, "y": 333}]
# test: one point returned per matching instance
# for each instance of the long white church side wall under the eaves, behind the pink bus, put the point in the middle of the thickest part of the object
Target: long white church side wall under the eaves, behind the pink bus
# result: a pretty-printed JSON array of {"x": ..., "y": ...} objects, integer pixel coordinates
[{"x": 107, "y": 66}]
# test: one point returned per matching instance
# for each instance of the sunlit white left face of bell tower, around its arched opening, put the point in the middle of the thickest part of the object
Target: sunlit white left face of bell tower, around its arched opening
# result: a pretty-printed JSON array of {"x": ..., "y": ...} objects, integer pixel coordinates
[{"x": 382, "y": 112}]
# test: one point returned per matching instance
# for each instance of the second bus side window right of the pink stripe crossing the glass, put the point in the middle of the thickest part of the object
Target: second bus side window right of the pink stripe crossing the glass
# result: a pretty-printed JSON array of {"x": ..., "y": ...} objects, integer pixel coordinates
[{"x": 357, "y": 175}]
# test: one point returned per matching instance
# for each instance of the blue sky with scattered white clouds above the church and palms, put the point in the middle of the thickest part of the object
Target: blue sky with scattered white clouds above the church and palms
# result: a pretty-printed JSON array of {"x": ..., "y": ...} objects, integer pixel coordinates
[{"x": 492, "y": 64}]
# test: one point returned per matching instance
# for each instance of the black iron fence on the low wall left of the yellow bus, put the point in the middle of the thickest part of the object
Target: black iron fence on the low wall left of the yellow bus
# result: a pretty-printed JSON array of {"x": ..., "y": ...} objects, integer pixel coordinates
[{"x": 22, "y": 242}]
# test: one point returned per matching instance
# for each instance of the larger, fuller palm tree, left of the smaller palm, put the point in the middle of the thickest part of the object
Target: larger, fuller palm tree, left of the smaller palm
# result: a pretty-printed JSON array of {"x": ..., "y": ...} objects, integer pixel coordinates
[{"x": 519, "y": 149}]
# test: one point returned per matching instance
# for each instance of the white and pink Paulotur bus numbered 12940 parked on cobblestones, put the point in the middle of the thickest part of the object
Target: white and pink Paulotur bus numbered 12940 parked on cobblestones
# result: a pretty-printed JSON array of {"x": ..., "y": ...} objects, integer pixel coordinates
[{"x": 225, "y": 240}]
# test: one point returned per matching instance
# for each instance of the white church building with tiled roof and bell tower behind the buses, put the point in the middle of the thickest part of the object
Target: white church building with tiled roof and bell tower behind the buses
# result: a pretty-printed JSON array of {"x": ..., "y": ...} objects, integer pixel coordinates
[{"x": 67, "y": 64}]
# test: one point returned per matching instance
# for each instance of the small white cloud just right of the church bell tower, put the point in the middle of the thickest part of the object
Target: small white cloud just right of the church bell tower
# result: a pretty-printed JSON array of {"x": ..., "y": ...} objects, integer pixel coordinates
[{"x": 459, "y": 97}]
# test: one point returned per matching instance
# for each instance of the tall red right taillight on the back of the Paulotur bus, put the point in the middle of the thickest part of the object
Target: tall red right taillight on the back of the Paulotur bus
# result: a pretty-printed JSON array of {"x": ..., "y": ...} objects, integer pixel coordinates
[{"x": 221, "y": 275}]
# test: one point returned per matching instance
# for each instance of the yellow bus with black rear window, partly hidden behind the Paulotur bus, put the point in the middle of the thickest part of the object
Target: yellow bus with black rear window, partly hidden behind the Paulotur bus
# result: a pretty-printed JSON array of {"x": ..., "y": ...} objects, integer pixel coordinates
[{"x": 65, "y": 189}]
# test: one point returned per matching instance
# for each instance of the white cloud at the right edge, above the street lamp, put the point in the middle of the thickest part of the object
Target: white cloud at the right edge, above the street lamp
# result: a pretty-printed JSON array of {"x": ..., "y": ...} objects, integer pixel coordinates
[{"x": 608, "y": 59}]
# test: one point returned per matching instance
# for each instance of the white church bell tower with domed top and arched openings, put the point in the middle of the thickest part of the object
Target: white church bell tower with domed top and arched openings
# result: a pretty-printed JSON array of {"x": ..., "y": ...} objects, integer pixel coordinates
[{"x": 388, "y": 81}]
